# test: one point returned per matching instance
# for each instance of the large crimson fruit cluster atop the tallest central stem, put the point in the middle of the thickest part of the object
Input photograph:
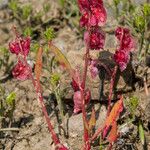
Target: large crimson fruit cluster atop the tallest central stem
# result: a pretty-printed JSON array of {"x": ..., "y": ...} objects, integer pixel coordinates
[{"x": 93, "y": 16}]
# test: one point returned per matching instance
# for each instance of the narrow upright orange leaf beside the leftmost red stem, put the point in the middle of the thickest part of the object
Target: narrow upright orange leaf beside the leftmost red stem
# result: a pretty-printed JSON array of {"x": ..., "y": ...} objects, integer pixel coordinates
[{"x": 38, "y": 65}]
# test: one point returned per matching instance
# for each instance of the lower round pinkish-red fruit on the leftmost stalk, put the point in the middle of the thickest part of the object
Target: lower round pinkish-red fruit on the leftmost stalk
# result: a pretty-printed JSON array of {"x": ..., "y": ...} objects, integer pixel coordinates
[{"x": 21, "y": 71}]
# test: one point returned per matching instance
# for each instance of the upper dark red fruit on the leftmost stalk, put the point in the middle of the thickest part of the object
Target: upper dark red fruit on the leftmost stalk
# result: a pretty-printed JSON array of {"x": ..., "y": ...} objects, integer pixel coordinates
[{"x": 20, "y": 46}]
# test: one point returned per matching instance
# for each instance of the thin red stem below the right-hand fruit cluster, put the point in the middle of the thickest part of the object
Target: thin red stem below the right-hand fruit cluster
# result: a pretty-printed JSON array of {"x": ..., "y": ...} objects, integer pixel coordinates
[{"x": 111, "y": 89}]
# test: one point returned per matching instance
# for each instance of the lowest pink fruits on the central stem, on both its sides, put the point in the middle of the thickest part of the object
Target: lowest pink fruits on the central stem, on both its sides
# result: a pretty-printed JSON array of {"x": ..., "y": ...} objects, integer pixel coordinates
[{"x": 78, "y": 100}]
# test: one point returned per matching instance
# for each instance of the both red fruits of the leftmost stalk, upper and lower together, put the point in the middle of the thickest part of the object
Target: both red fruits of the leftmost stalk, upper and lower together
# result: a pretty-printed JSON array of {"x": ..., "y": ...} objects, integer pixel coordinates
[{"x": 21, "y": 47}]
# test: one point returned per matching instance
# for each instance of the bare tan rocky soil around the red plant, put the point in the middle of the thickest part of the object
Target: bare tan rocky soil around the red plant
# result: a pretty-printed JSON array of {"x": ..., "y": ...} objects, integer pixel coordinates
[{"x": 30, "y": 129}]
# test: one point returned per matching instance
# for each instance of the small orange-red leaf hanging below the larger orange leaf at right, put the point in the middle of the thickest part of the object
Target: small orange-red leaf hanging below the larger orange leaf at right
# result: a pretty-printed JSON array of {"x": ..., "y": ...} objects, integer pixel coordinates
[{"x": 113, "y": 133}]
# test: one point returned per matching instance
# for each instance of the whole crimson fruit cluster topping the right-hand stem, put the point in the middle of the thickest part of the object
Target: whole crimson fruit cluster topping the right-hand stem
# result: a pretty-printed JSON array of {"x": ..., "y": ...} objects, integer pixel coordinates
[{"x": 126, "y": 45}]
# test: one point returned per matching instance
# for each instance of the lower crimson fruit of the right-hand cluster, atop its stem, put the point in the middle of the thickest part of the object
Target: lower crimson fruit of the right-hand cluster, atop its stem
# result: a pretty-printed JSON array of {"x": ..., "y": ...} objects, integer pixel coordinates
[{"x": 122, "y": 58}]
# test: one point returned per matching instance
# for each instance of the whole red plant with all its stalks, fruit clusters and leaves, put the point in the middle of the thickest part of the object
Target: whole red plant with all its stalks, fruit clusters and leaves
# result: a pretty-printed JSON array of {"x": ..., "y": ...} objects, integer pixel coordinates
[{"x": 93, "y": 18}]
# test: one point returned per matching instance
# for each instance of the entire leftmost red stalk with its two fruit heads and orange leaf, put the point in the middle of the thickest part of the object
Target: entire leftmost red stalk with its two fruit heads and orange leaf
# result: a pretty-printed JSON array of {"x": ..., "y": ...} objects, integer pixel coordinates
[{"x": 23, "y": 71}]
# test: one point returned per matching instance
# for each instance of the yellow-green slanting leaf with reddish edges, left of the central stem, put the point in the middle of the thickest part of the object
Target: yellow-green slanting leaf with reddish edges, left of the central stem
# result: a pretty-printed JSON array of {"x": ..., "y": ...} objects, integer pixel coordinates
[{"x": 61, "y": 58}]
